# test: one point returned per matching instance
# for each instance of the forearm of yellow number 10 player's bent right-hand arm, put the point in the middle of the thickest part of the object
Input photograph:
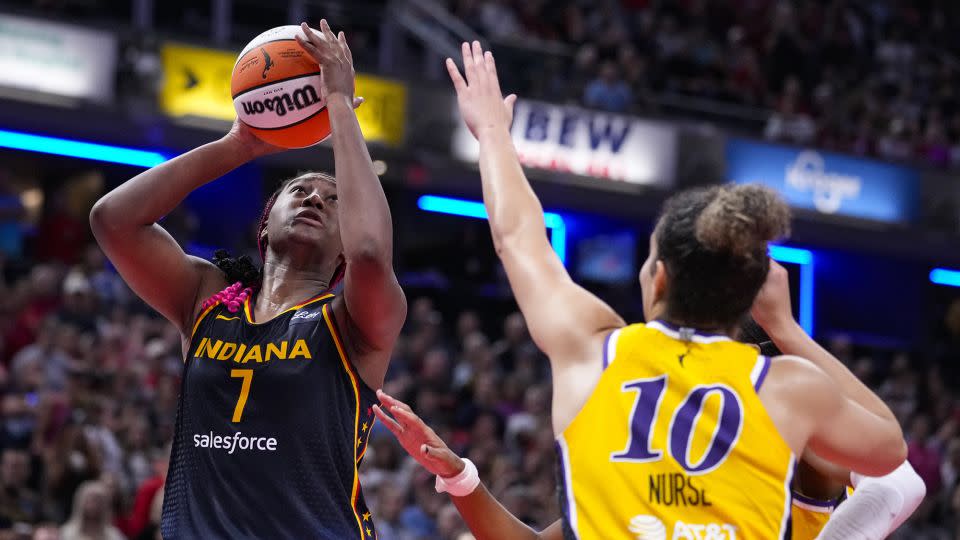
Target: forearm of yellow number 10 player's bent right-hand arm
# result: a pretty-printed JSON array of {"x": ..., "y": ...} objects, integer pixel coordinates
[{"x": 791, "y": 339}]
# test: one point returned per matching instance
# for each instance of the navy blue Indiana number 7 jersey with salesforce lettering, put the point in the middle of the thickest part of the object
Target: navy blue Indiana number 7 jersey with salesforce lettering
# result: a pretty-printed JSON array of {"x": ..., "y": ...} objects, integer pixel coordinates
[{"x": 271, "y": 427}]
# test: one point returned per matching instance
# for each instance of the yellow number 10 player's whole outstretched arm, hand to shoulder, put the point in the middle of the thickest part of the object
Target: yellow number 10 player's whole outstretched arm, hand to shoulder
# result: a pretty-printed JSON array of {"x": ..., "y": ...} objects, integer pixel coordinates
[{"x": 564, "y": 319}]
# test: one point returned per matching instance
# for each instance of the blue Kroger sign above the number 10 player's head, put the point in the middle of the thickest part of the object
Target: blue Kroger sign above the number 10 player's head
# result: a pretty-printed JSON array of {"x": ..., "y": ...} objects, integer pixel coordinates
[{"x": 826, "y": 182}]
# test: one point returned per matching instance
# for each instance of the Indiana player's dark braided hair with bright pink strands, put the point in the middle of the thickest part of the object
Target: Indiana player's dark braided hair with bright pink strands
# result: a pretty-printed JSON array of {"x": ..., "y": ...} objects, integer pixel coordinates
[{"x": 245, "y": 276}]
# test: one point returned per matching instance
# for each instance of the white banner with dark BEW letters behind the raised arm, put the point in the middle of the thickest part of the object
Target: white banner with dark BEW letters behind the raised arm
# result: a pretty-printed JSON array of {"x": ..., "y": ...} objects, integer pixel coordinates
[{"x": 588, "y": 143}]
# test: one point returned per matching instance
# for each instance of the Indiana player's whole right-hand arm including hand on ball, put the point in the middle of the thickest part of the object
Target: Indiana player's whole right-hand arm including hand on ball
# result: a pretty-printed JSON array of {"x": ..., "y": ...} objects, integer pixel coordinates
[{"x": 375, "y": 304}]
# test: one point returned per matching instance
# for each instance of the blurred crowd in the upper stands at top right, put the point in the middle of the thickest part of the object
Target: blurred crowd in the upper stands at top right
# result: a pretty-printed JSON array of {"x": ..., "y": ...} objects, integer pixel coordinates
[{"x": 869, "y": 77}]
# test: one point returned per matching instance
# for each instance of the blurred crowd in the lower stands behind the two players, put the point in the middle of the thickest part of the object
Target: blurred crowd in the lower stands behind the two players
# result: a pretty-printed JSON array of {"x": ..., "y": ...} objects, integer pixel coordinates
[{"x": 89, "y": 381}]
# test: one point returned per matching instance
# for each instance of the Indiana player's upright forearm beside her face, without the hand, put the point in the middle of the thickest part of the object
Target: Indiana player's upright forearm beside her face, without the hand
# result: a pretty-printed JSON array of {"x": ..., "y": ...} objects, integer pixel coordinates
[{"x": 365, "y": 223}]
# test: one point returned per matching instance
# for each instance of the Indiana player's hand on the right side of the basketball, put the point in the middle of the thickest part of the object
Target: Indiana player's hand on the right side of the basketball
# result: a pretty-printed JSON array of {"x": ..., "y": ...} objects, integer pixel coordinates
[{"x": 334, "y": 56}]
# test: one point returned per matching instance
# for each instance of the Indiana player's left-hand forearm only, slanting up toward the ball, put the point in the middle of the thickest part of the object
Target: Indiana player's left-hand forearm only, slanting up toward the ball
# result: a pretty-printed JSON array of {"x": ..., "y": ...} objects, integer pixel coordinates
[{"x": 154, "y": 193}]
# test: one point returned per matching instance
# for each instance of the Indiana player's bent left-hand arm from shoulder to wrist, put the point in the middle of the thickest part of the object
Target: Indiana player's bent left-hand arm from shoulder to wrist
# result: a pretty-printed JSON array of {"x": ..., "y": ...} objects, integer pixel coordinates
[{"x": 124, "y": 222}]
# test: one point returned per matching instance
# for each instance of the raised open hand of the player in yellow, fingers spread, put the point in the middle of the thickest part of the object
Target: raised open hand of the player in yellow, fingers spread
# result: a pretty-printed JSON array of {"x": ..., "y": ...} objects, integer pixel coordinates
[{"x": 482, "y": 104}]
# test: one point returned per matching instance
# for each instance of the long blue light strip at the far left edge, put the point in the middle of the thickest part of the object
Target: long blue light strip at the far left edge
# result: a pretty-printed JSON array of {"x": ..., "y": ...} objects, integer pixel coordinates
[{"x": 79, "y": 149}]
